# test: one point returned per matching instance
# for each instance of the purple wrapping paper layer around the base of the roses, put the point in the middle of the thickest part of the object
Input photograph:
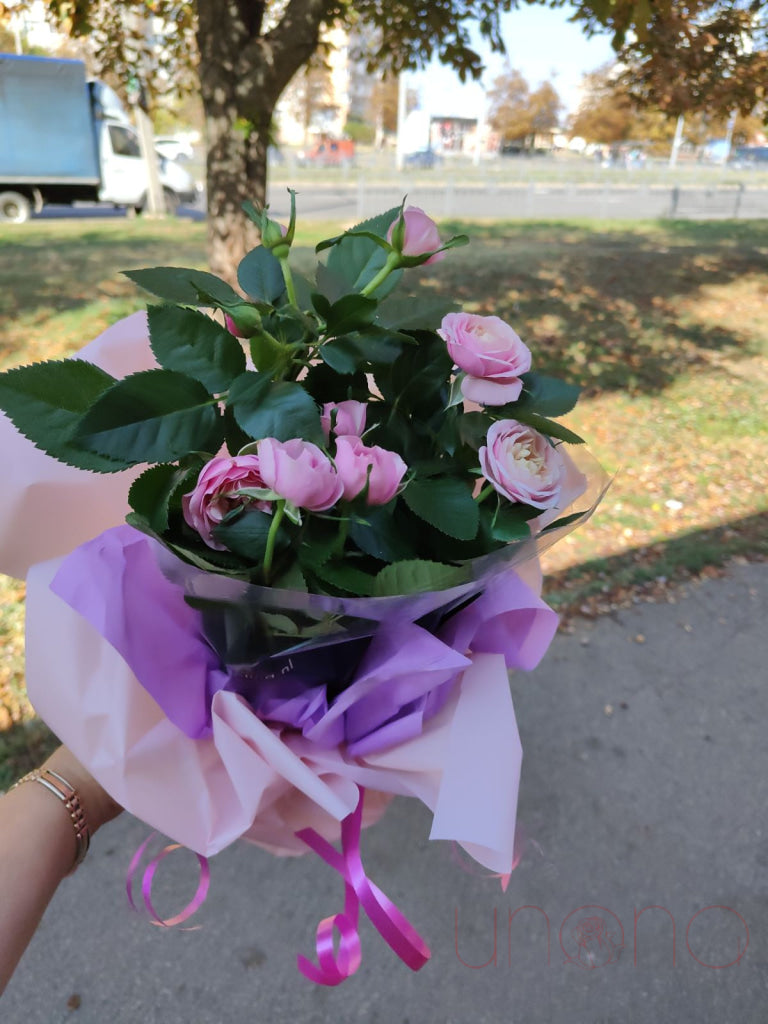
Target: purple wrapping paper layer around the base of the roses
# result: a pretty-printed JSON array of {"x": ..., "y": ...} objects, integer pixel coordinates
[{"x": 402, "y": 679}]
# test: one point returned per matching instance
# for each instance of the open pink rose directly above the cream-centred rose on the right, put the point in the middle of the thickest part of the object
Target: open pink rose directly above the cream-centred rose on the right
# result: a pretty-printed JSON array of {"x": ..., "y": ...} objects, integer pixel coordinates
[{"x": 492, "y": 355}]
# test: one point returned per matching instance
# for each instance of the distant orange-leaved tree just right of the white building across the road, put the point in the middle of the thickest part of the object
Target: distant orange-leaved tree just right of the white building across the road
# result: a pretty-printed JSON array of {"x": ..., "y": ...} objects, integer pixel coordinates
[{"x": 520, "y": 115}]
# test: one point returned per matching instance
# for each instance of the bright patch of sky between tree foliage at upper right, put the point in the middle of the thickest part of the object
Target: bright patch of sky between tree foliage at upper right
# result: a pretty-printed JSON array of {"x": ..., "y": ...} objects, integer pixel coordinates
[{"x": 540, "y": 42}]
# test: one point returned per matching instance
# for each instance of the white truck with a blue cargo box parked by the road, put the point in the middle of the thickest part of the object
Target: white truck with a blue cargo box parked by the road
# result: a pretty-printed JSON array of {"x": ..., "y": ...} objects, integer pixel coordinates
[{"x": 64, "y": 140}]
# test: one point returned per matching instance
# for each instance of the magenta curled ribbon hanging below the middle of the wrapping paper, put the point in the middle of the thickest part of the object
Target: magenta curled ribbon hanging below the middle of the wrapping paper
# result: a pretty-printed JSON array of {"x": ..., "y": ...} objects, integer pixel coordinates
[{"x": 394, "y": 927}]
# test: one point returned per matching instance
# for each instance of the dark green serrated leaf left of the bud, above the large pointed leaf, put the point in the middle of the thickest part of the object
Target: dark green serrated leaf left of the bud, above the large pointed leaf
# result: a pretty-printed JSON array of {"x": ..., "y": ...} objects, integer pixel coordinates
[{"x": 194, "y": 345}]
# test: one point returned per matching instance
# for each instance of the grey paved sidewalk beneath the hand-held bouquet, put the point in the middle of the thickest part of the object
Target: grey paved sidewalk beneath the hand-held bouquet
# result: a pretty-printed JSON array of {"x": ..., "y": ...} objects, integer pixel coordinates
[{"x": 646, "y": 784}]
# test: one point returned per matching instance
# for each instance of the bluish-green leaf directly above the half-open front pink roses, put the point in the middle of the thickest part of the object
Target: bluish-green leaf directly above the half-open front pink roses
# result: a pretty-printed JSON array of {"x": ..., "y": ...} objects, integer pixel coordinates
[{"x": 268, "y": 409}]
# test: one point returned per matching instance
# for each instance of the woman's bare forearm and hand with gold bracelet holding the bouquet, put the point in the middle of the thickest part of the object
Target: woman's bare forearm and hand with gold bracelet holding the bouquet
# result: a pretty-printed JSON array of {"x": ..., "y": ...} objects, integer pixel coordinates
[{"x": 38, "y": 847}]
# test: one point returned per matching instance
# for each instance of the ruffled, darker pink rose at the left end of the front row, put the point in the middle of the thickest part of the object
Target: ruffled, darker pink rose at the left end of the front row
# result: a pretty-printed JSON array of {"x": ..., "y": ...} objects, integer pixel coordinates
[{"x": 216, "y": 494}]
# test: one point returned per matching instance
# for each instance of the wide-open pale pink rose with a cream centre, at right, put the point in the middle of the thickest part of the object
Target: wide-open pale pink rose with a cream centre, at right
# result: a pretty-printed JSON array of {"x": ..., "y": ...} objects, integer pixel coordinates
[{"x": 523, "y": 465}]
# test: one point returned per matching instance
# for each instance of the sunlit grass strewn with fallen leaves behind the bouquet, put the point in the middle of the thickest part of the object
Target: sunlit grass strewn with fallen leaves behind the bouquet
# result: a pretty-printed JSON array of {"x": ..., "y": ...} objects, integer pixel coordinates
[{"x": 664, "y": 324}]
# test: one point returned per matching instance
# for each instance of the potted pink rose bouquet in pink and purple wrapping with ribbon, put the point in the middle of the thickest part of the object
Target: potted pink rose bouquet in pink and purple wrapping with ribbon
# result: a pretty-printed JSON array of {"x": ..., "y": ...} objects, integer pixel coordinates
[{"x": 282, "y": 551}]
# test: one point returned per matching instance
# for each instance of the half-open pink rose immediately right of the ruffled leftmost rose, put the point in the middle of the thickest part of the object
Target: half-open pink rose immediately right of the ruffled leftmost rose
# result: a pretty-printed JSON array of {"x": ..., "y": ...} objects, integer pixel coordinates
[{"x": 301, "y": 473}]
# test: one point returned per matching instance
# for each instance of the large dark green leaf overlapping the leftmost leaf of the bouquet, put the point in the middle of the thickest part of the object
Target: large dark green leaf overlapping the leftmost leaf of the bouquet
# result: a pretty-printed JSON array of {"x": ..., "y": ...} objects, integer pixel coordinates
[{"x": 153, "y": 416}]
